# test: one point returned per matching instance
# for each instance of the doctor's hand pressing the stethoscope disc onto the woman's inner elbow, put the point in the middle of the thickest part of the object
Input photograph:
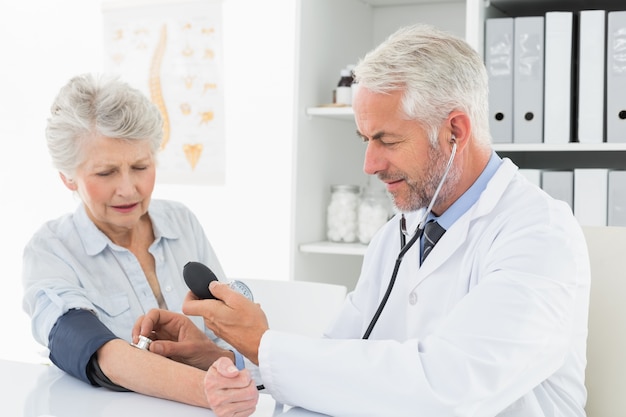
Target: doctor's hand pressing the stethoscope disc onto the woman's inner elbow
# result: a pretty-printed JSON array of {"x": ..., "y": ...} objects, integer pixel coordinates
[{"x": 175, "y": 336}]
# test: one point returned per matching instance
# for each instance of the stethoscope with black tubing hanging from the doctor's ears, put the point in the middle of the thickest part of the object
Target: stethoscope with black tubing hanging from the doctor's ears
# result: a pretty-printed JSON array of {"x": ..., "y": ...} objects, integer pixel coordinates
[{"x": 405, "y": 246}]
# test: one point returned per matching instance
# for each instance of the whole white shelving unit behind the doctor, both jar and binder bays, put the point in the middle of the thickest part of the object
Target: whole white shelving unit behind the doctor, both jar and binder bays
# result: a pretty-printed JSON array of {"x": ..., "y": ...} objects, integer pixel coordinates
[{"x": 336, "y": 33}]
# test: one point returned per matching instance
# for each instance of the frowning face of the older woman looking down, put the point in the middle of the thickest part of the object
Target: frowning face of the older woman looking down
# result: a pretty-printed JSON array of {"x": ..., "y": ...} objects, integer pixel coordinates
[{"x": 115, "y": 182}]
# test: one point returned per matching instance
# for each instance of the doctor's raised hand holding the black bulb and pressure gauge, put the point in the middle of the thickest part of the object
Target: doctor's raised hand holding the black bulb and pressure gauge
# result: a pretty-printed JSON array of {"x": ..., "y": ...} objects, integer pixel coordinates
[{"x": 232, "y": 317}]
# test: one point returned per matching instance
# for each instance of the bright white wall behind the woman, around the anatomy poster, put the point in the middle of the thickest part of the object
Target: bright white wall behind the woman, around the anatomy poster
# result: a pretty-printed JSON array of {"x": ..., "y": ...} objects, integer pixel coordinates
[{"x": 44, "y": 42}]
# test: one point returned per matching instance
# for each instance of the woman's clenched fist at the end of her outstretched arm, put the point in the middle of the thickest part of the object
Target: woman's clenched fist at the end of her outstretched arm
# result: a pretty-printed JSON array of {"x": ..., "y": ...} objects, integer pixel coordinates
[{"x": 229, "y": 391}]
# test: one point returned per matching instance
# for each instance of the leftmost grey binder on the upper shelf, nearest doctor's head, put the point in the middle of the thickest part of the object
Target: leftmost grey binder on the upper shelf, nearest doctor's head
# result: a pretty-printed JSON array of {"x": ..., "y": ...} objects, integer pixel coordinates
[{"x": 499, "y": 63}]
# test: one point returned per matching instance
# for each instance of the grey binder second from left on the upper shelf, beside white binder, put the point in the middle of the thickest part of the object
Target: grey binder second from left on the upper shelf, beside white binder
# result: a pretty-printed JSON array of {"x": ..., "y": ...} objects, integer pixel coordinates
[{"x": 528, "y": 80}]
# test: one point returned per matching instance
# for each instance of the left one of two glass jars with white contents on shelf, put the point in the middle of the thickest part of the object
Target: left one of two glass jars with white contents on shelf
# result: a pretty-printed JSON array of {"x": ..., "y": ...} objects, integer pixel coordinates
[{"x": 341, "y": 213}]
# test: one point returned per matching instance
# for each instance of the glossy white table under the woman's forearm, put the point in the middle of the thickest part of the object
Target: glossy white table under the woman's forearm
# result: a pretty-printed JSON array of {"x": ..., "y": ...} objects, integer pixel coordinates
[{"x": 33, "y": 390}]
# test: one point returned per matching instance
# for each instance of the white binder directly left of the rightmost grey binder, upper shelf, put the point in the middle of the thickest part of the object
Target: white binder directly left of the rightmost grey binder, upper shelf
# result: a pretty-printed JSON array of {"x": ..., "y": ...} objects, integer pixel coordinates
[{"x": 591, "y": 76}]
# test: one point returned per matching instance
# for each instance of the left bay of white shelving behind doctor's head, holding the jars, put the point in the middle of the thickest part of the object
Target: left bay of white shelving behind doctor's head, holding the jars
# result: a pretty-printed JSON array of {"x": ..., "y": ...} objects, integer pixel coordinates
[{"x": 327, "y": 151}]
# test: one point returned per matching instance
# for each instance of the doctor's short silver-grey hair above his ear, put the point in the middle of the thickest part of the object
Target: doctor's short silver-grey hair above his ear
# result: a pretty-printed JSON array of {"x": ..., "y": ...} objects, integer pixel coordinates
[{"x": 438, "y": 72}]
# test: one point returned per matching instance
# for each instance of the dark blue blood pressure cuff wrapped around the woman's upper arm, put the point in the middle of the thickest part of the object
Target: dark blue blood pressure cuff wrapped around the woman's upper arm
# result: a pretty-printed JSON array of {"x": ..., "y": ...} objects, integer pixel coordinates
[{"x": 73, "y": 343}]
